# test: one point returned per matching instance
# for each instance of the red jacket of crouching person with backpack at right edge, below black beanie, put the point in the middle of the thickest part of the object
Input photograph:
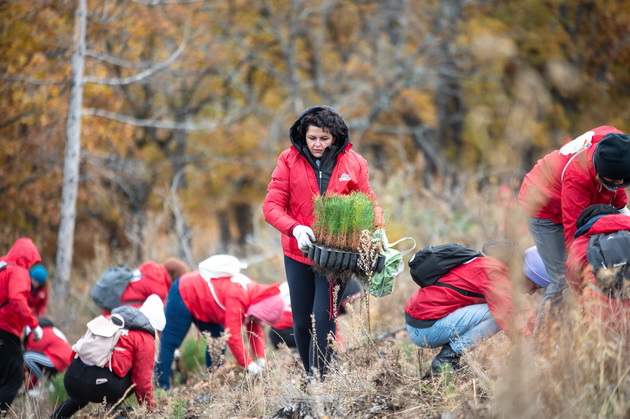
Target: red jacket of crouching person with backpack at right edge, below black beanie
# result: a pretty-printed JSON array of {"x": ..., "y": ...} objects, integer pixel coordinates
[{"x": 580, "y": 275}]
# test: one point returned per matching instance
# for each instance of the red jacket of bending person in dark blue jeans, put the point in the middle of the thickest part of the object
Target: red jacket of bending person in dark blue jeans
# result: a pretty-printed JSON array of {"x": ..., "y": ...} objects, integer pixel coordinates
[{"x": 236, "y": 297}]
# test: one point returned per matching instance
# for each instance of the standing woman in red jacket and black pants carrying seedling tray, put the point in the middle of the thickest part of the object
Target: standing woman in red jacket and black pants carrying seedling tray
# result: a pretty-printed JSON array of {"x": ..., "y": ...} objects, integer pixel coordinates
[{"x": 320, "y": 161}]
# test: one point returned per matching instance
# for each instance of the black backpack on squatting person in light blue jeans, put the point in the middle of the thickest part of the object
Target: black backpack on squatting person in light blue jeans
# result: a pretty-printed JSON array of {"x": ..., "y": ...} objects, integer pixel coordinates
[{"x": 431, "y": 263}]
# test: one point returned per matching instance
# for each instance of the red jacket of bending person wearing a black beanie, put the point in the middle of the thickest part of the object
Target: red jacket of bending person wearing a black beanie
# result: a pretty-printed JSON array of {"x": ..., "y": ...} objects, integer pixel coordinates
[{"x": 564, "y": 182}]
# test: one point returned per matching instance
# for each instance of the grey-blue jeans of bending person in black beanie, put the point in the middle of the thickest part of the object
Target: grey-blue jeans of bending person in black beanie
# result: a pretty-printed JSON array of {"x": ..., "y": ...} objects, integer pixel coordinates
[{"x": 549, "y": 239}]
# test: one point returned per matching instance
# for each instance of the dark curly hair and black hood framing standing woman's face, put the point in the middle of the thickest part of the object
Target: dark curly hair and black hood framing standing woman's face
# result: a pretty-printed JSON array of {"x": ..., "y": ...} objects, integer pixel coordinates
[{"x": 323, "y": 117}]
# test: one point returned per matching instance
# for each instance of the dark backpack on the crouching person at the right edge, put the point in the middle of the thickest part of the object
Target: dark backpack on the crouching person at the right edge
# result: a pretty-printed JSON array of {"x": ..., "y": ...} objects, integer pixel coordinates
[{"x": 610, "y": 253}]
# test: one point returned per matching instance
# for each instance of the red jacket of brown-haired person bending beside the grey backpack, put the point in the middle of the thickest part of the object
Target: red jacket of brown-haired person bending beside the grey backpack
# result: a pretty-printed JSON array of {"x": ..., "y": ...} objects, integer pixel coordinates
[{"x": 154, "y": 280}]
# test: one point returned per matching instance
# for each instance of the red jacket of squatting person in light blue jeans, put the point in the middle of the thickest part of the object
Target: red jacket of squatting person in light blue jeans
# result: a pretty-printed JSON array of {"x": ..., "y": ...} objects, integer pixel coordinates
[{"x": 484, "y": 275}]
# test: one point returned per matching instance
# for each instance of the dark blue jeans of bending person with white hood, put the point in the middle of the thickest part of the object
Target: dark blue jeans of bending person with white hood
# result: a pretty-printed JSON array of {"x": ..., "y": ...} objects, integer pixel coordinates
[{"x": 178, "y": 321}]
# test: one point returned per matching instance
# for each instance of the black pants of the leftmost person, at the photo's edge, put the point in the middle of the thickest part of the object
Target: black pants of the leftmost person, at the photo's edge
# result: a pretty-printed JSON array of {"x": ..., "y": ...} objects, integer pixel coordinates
[{"x": 11, "y": 368}]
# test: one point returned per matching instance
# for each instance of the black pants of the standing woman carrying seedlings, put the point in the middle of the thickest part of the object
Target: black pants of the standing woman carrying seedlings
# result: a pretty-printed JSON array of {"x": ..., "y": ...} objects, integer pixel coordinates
[{"x": 311, "y": 293}]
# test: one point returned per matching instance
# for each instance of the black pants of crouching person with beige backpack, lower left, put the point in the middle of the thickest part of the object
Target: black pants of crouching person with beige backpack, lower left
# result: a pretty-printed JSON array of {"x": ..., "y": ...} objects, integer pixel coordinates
[{"x": 85, "y": 384}]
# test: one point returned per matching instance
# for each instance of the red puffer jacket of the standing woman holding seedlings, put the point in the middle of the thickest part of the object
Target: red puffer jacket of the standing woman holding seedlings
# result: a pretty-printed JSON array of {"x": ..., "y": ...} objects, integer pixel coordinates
[{"x": 293, "y": 185}]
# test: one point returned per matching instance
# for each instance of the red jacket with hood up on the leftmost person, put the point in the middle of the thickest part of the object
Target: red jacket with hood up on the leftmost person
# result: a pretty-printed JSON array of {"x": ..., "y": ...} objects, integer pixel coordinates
[{"x": 15, "y": 285}]
